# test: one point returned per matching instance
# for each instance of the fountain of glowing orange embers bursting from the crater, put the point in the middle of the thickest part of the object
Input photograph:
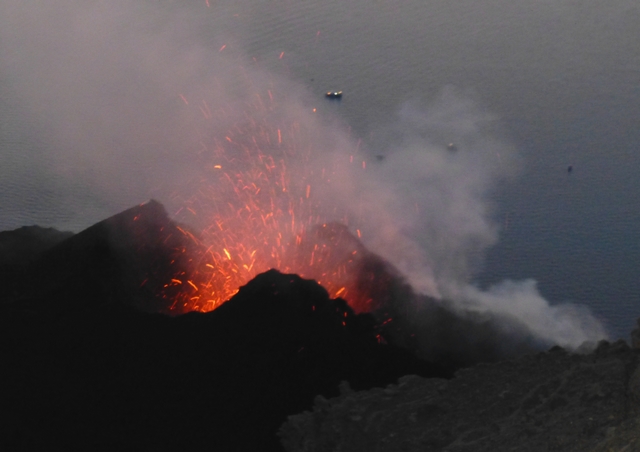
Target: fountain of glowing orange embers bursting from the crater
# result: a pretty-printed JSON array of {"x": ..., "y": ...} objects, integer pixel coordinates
[{"x": 255, "y": 203}]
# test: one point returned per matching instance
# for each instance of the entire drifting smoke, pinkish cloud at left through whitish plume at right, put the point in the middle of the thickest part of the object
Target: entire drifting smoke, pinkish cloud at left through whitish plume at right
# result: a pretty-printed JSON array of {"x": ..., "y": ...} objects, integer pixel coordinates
[{"x": 128, "y": 99}]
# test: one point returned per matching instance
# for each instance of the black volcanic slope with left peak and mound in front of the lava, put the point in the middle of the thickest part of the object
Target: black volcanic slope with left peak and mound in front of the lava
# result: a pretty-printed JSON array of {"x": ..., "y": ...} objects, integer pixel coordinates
[{"x": 82, "y": 368}]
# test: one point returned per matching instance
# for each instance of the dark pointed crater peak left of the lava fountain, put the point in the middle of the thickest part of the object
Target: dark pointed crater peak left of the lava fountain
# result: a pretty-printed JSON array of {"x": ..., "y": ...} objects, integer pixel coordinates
[{"x": 127, "y": 257}]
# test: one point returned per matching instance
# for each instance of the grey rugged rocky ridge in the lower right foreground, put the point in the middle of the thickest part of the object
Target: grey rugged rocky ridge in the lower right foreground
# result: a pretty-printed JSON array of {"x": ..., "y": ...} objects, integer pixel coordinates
[{"x": 554, "y": 400}]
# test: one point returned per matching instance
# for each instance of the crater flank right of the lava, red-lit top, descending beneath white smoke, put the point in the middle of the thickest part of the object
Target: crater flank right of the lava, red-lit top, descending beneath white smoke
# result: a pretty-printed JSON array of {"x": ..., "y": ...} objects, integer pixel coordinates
[{"x": 435, "y": 330}]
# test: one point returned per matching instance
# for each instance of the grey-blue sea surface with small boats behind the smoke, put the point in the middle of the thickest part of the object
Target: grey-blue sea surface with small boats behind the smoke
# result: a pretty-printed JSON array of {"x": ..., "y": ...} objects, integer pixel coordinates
[{"x": 562, "y": 77}]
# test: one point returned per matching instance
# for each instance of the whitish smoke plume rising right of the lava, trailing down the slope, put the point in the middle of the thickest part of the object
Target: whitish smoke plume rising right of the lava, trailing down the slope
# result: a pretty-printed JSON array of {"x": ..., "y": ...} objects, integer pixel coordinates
[{"x": 426, "y": 206}]
